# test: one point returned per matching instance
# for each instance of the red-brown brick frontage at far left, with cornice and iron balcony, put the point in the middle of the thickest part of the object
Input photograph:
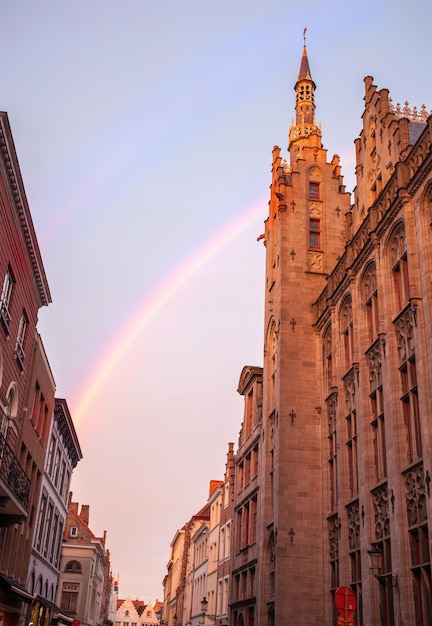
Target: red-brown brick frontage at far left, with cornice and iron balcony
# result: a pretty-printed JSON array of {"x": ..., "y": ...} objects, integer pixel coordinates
[{"x": 24, "y": 431}]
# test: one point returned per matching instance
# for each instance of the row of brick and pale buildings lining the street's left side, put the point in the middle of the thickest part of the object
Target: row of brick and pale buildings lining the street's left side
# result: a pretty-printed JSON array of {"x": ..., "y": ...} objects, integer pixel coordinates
[{"x": 52, "y": 567}]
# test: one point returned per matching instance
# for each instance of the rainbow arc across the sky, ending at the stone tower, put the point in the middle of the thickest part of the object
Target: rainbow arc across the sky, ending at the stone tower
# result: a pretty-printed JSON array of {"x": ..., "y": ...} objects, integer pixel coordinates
[{"x": 153, "y": 303}]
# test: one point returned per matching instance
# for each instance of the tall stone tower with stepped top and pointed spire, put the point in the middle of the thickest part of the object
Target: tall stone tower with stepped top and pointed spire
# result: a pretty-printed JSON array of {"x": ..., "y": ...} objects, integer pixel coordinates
[{"x": 305, "y": 233}]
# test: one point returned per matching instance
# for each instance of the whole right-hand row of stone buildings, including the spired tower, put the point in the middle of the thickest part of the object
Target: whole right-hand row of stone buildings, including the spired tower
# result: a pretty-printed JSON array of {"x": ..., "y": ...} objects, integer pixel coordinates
[{"x": 324, "y": 515}]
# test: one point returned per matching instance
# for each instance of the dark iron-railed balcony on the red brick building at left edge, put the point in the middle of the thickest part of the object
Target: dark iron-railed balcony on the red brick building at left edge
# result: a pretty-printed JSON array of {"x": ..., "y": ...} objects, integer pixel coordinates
[{"x": 14, "y": 487}]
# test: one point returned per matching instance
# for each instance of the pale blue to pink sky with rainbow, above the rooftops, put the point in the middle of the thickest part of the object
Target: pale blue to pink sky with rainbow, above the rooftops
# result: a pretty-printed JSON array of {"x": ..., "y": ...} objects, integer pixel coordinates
[{"x": 144, "y": 132}]
